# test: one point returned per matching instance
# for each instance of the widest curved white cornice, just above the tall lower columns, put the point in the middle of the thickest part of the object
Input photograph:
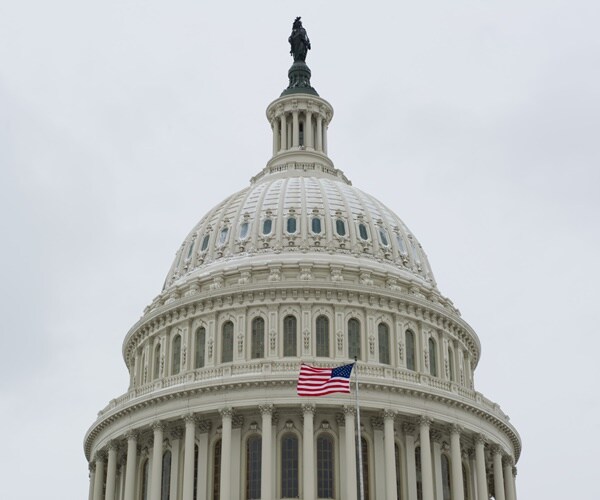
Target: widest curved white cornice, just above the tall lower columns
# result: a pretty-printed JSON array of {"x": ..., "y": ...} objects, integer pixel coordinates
[{"x": 152, "y": 399}]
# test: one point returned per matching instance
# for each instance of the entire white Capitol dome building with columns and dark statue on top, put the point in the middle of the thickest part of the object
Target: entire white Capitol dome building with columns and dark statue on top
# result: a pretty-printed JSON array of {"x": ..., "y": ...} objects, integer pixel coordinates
[{"x": 301, "y": 267}]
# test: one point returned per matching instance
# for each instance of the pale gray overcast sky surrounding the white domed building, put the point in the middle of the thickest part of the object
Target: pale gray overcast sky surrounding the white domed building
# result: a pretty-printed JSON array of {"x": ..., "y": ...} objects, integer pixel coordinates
[{"x": 123, "y": 122}]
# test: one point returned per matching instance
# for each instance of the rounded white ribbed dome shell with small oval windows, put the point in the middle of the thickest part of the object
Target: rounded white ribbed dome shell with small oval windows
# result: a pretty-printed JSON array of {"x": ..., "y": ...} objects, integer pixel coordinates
[{"x": 300, "y": 211}]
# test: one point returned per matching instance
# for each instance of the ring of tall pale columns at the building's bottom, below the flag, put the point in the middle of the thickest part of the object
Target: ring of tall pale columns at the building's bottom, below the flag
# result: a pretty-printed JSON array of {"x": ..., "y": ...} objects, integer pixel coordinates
[{"x": 115, "y": 472}]
